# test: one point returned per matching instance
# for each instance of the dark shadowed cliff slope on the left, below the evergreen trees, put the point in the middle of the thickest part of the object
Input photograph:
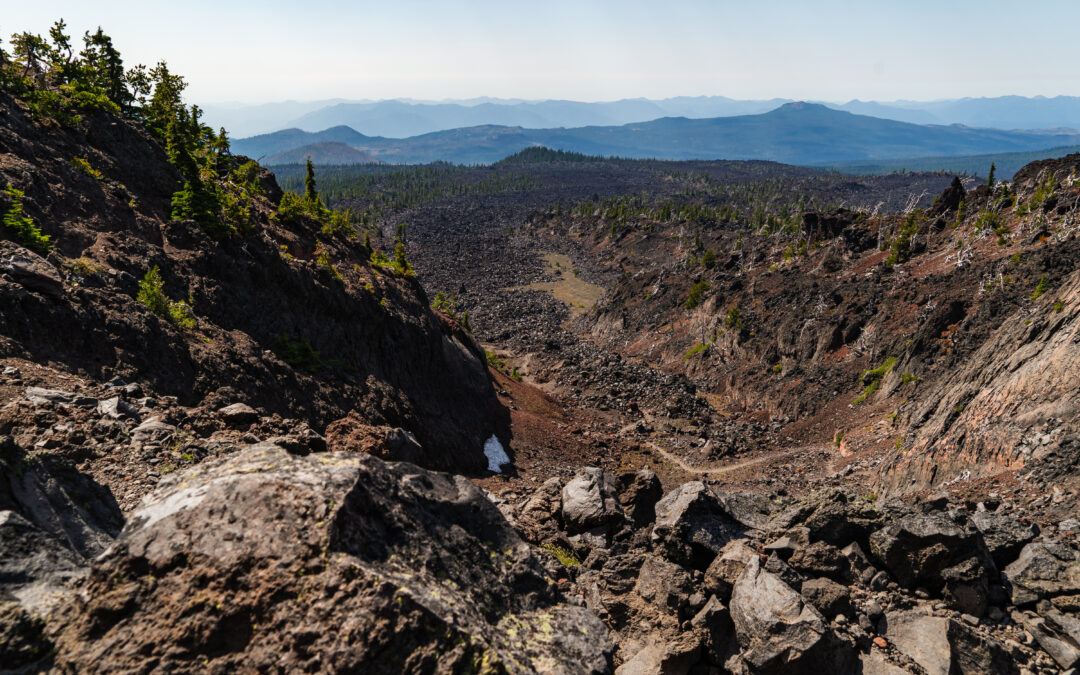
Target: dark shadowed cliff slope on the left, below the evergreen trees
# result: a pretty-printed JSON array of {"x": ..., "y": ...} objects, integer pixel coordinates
[{"x": 282, "y": 328}]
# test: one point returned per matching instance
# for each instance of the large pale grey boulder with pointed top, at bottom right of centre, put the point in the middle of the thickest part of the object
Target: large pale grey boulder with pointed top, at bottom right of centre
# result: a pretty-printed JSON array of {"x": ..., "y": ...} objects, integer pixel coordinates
[{"x": 778, "y": 631}]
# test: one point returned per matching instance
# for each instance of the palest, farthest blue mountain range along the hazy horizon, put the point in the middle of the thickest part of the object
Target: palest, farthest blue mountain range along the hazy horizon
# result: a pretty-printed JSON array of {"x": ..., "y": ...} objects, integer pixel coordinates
[{"x": 402, "y": 119}]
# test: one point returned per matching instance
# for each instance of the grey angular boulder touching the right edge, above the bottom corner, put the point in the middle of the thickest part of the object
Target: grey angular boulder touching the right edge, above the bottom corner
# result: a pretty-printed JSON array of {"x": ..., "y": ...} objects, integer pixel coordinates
[{"x": 1045, "y": 570}]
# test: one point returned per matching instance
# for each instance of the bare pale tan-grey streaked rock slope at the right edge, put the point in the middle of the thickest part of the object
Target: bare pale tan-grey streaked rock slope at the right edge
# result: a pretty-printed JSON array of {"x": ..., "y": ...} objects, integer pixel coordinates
[{"x": 1014, "y": 401}]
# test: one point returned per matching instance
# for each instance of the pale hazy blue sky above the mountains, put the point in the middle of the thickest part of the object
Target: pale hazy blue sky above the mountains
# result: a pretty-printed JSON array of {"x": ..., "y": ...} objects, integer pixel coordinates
[{"x": 826, "y": 50}]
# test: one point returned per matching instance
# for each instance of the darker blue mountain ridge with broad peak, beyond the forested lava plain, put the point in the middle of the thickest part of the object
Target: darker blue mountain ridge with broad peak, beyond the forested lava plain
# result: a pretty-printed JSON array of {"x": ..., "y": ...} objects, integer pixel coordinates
[{"x": 798, "y": 133}]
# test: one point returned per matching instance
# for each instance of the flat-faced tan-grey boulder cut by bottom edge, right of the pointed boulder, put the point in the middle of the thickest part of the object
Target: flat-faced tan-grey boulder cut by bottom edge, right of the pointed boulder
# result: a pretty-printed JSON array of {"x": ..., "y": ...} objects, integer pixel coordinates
[{"x": 942, "y": 646}]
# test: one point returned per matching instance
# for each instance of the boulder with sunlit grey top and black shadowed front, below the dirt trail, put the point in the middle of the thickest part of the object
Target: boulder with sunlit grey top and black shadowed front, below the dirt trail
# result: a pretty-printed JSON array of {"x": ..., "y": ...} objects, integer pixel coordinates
[{"x": 693, "y": 526}]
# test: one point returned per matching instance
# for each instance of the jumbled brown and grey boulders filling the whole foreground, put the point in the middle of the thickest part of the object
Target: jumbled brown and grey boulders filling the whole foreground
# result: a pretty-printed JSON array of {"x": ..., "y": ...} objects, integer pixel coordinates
[{"x": 279, "y": 556}]
